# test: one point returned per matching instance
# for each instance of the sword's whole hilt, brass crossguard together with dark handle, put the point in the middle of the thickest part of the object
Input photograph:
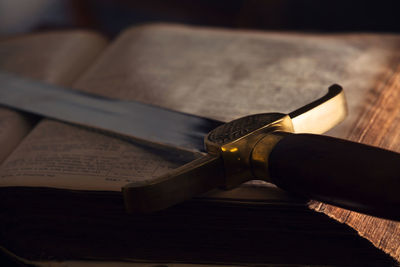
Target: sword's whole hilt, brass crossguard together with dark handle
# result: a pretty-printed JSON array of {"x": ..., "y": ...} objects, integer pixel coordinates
[{"x": 279, "y": 148}]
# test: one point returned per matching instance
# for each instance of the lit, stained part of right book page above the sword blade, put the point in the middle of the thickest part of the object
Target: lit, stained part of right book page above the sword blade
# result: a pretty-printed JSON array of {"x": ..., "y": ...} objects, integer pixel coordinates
[{"x": 224, "y": 74}]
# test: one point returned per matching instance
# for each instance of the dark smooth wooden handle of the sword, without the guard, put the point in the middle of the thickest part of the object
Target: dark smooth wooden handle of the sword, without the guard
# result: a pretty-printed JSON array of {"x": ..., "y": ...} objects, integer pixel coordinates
[{"x": 343, "y": 173}]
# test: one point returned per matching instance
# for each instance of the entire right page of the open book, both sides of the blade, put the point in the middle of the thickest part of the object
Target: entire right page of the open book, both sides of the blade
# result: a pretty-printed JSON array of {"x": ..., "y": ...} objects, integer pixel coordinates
[{"x": 220, "y": 74}]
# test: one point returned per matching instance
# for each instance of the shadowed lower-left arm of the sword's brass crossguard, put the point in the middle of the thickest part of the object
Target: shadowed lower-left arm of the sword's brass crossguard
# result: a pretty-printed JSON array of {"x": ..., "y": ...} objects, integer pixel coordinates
[{"x": 180, "y": 184}]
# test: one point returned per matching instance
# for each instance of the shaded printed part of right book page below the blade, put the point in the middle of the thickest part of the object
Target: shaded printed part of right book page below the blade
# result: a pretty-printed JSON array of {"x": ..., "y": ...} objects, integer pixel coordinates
[{"x": 64, "y": 156}]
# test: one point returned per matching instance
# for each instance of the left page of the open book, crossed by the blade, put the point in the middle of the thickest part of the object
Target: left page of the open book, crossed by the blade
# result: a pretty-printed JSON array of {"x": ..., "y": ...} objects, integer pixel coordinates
[{"x": 53, "y": 57}]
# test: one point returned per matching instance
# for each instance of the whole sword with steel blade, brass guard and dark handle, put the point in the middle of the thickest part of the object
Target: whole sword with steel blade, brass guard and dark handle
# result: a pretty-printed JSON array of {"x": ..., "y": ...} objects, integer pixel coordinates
[{"x": 273, "y": 147}]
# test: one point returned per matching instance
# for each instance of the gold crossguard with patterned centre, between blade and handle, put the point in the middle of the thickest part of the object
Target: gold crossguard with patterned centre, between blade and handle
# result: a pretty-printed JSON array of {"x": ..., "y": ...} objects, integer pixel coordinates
[{"x": 238, "y": 151}]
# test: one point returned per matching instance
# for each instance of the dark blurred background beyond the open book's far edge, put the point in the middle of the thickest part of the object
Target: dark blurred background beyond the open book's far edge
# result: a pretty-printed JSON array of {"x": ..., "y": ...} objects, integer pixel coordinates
[{"x": 110, "y": 17}]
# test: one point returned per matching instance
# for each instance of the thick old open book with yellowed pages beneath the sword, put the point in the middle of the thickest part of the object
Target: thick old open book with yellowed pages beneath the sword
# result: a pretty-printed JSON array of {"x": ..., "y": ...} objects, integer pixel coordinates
[{"x": 60, "y": 184}]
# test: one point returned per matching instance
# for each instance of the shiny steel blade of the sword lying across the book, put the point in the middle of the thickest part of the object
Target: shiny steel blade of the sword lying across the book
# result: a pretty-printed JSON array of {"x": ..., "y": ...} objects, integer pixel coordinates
[{"x": 128, "y": 118}]
